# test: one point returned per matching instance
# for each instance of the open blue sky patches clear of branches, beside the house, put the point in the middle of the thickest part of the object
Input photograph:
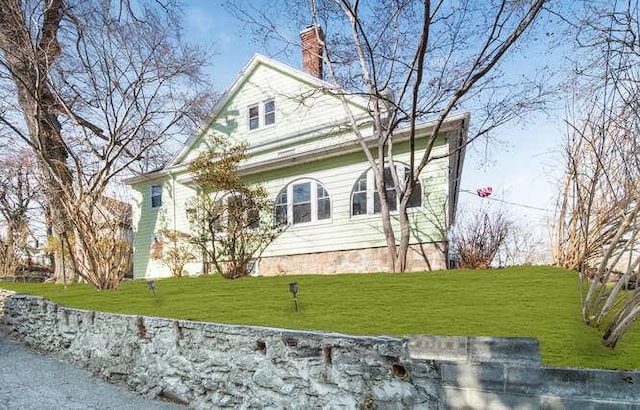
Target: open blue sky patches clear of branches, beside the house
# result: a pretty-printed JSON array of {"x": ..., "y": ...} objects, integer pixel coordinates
[{"x": 523, "y": 169}]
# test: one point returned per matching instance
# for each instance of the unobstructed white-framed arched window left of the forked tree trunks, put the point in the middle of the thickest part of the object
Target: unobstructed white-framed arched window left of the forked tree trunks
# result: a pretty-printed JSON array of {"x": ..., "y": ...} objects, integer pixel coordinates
[{"x": 302, "y": 201}]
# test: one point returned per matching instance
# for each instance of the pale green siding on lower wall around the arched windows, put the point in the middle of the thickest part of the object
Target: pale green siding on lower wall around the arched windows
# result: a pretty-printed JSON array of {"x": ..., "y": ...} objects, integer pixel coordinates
[{"x": 343, "y": 231}]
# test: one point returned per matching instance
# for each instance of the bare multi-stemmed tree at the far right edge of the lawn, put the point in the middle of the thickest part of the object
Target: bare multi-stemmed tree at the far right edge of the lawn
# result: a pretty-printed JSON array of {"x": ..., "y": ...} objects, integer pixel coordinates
[{"x": 598, "y": 213}]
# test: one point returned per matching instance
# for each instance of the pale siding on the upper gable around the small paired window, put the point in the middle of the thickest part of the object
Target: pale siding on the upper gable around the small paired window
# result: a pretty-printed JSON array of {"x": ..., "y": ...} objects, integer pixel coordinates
[{"x": 303, "y": 112}]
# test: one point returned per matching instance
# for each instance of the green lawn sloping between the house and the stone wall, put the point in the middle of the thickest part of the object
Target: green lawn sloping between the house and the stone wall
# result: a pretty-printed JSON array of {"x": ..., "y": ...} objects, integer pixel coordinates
[{"x": 540, "y": 302}]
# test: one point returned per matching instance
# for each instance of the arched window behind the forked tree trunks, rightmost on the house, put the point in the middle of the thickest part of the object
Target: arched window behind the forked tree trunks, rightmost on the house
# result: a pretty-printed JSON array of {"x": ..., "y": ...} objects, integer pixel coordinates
[{"x": 365, "y": 200}]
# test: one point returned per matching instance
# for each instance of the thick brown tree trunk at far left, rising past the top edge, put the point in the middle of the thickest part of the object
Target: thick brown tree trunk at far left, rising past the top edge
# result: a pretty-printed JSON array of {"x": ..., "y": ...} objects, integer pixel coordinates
[{"x": 29, "y": 66}]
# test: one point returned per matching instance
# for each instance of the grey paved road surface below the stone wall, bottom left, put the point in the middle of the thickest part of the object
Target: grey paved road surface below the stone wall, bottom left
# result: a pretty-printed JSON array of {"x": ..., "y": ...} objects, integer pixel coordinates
[{"x": 32, "y": 381}]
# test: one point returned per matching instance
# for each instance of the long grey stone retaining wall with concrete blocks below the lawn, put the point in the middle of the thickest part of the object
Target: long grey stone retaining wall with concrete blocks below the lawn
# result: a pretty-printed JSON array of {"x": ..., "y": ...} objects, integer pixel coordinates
[{"x": 208, "y": 365}]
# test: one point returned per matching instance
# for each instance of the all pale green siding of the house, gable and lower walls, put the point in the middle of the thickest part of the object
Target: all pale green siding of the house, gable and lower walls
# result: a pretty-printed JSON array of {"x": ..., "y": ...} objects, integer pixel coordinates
[{"x": 307, "y": 119}]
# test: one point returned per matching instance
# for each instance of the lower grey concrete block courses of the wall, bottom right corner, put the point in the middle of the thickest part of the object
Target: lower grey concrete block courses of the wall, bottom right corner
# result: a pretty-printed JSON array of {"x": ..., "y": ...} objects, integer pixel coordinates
[{"x": 495, "y": 386}]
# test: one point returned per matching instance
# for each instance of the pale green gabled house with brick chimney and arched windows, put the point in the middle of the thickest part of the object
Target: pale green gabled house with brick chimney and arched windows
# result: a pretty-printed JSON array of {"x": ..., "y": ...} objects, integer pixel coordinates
[{"x": 302, "y": 150}]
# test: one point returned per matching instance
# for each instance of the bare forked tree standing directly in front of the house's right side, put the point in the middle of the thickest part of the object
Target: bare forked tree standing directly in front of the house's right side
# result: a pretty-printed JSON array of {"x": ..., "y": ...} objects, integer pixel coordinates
[{"x": 415, "y": 61}]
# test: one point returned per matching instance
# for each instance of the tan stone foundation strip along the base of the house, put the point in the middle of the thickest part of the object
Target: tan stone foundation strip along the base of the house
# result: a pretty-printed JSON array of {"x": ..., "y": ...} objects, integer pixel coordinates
[{"x": 421, "y": 257}]
